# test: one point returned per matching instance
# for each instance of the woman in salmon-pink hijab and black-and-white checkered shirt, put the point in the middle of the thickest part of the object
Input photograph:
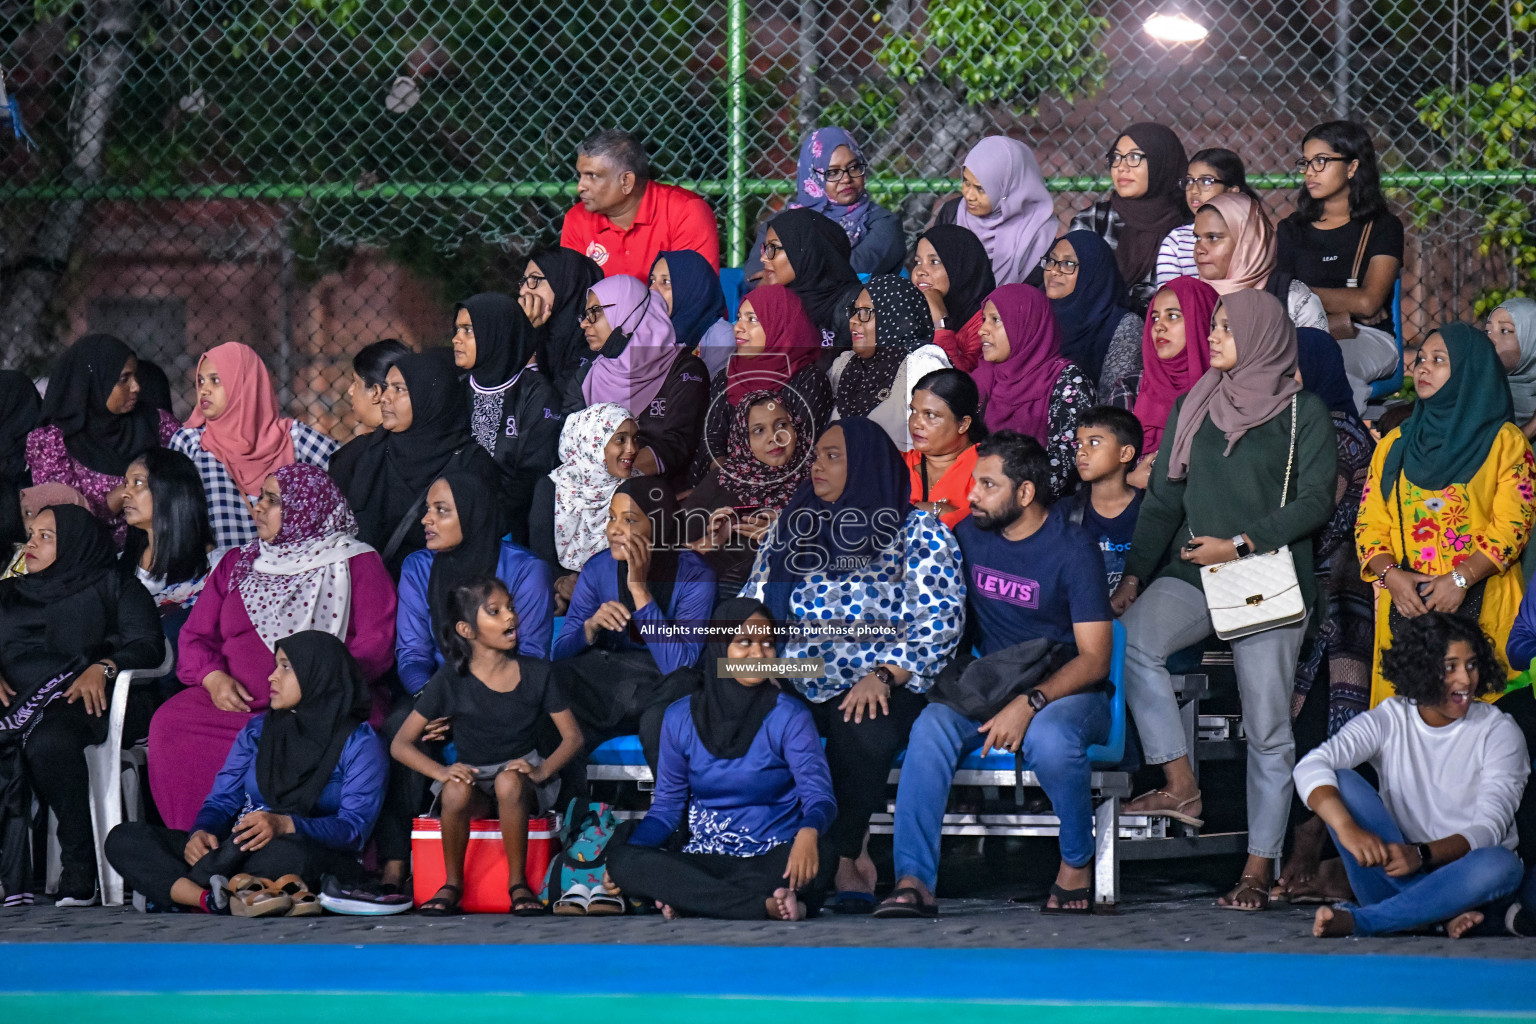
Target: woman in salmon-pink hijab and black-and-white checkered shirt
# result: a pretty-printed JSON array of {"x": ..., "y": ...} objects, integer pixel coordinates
[{"x": 237, "y": 438}]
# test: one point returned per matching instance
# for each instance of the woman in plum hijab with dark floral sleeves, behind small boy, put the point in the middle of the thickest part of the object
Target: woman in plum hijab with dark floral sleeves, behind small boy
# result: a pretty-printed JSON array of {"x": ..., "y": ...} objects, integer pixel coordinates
[{"x": 1027, "y": 385}]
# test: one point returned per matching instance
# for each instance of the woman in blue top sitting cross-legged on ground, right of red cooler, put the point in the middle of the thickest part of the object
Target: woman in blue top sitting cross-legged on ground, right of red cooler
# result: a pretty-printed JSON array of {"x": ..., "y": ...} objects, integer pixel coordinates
[{"x": 743, "y": 759}]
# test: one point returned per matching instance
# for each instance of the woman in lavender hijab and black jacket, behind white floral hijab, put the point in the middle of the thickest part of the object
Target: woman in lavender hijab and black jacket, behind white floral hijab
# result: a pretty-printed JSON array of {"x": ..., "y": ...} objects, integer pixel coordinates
[{"x": 640, "y": 366}]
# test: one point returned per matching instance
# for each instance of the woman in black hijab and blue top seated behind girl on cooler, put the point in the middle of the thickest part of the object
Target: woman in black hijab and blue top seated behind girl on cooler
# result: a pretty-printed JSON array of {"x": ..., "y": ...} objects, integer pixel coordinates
[{"x": 465, "y": 526}]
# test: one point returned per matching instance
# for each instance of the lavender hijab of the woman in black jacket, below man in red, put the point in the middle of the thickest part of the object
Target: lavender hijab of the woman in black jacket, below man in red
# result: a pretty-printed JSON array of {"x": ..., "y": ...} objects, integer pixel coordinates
[{"x": 641, "y": 351}]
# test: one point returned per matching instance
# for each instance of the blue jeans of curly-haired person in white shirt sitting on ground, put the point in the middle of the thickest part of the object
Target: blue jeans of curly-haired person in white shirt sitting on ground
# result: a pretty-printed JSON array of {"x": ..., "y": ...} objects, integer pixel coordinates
[{"x": 1399, "y": 905}]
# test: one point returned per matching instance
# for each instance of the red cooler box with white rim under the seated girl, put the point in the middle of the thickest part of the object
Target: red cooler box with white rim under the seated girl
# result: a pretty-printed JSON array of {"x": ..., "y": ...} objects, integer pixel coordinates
[{"x": 485, "y": 860}]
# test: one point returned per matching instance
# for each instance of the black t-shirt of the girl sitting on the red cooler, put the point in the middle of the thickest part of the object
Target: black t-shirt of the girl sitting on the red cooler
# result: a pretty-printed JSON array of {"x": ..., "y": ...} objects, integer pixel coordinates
[{"x": 491, "y": 727}]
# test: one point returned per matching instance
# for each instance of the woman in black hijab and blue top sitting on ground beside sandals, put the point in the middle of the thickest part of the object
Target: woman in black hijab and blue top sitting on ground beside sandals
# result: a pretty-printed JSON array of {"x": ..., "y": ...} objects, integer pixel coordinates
[{"x": 296, "y": 801}]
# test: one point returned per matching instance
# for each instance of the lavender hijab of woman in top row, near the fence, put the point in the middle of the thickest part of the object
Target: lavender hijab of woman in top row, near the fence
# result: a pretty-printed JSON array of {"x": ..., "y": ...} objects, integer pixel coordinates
[{"x": 1022, "y": 223}]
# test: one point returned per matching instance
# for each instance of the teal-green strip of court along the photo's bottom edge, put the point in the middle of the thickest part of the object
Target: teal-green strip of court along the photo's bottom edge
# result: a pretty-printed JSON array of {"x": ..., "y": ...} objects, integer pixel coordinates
[{"x": 477, "y": 1008}]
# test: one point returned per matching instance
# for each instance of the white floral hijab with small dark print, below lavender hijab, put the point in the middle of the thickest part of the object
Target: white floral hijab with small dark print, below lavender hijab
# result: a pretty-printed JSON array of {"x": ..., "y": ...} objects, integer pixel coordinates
[{"x": 583, "y": 484}]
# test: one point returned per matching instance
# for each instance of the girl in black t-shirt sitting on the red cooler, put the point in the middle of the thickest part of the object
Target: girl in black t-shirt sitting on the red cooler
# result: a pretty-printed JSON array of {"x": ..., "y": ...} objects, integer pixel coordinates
[{"x": 495, "y": 702}]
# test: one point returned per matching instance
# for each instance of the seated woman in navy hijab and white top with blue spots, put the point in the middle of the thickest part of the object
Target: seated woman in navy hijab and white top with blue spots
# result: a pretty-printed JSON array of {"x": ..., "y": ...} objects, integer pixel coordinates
[{"x": 850, "y": 549}]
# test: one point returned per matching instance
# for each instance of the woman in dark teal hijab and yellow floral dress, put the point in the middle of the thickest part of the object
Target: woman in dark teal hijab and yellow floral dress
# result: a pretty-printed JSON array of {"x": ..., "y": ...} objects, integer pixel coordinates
[{"x": 1449, "y": 501}]
